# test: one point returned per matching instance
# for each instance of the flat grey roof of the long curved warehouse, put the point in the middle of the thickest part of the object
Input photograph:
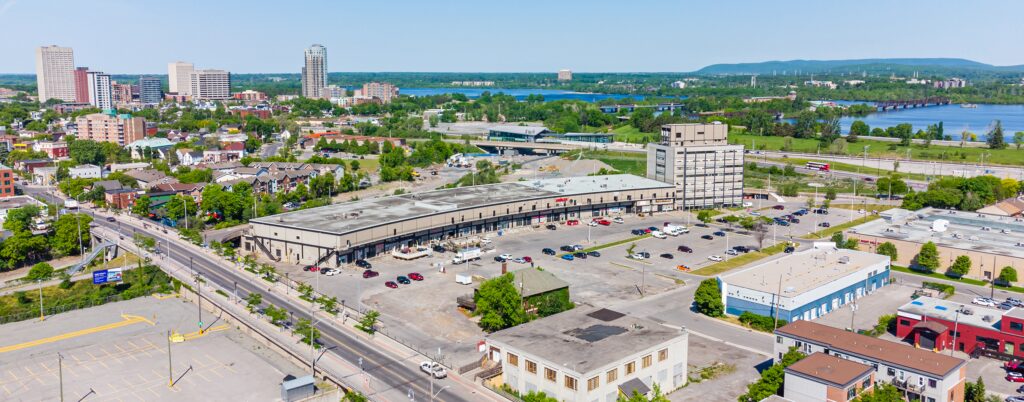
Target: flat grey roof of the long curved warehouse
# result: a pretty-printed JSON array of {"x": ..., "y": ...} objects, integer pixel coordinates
[{"x": 353, "y": 216}]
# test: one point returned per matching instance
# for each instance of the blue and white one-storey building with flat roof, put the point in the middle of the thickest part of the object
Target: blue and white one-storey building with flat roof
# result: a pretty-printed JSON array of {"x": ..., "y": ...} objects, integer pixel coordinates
[{"x": 806, "y": 285}]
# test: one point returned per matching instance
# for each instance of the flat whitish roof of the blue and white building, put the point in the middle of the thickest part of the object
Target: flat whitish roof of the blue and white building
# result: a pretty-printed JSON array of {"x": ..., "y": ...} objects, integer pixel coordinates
[{"x": 804, "y": 272}]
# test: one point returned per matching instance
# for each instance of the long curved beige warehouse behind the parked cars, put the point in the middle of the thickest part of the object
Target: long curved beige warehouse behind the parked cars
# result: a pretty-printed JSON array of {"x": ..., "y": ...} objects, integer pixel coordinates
[{"x": 364, "y": 229}]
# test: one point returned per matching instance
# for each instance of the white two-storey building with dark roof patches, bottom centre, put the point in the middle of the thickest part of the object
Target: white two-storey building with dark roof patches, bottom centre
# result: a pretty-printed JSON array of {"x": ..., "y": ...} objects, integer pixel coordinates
[{"x": 590, "y": 354}]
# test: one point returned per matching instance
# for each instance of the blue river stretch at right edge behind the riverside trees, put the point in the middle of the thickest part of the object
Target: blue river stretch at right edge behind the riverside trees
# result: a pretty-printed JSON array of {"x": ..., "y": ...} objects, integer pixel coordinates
[{"x": 955, "y": 119}]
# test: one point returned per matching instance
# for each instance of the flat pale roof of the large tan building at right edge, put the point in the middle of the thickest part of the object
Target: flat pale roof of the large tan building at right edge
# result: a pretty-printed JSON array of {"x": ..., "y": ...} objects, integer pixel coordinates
[{"x": 967, "y": 231}]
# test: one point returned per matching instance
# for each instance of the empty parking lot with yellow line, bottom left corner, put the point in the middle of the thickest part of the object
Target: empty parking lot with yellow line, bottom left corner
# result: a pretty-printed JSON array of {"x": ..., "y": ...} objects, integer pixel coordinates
[{"x": 118, "y": 352}]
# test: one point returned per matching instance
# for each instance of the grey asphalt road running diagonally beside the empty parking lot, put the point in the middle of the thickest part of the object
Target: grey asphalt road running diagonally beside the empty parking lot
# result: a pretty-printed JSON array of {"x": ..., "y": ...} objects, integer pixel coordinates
[{"x": 395, "y": 374}]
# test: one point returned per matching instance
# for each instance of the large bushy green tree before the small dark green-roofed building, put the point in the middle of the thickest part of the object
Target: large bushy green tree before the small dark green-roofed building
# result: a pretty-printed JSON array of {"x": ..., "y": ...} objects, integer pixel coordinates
[{"x": 499, "y": 304}]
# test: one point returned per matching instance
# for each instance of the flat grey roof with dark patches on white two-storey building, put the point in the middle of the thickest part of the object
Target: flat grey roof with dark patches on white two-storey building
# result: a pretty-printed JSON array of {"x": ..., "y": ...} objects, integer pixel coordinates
[{"x": 586, "y": 339}]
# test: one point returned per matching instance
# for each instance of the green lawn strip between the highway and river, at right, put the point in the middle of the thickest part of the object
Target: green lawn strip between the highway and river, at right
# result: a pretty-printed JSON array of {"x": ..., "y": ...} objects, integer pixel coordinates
[{"x": 1010, "y": 156}]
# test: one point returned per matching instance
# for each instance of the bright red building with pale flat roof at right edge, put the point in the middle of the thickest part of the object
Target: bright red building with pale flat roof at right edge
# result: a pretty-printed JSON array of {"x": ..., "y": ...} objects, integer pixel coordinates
[{"x": 941, "y": 325}]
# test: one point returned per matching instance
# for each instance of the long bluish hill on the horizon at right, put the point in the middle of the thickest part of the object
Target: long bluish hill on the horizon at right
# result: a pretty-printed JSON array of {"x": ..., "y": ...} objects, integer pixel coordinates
[{"x": 937, "y": 66}]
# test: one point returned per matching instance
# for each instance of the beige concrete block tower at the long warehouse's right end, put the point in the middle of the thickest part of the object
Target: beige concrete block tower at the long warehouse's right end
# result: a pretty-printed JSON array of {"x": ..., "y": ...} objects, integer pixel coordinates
[{"x": 700, "y": 162}]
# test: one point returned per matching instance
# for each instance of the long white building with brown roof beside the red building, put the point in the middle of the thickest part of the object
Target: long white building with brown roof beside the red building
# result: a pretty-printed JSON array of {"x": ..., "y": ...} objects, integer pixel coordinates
[{"x": 921, "y": 375}]
